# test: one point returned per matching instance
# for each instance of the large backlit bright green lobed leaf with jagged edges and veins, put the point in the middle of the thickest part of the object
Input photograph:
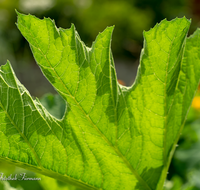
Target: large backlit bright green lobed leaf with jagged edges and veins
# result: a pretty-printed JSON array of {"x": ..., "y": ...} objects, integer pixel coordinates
[{"x": 111, "y": 136}]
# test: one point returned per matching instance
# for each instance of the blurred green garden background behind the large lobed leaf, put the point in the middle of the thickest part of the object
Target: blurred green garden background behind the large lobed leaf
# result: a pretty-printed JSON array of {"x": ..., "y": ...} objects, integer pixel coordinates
[{"x": 131, "y": 18}]
